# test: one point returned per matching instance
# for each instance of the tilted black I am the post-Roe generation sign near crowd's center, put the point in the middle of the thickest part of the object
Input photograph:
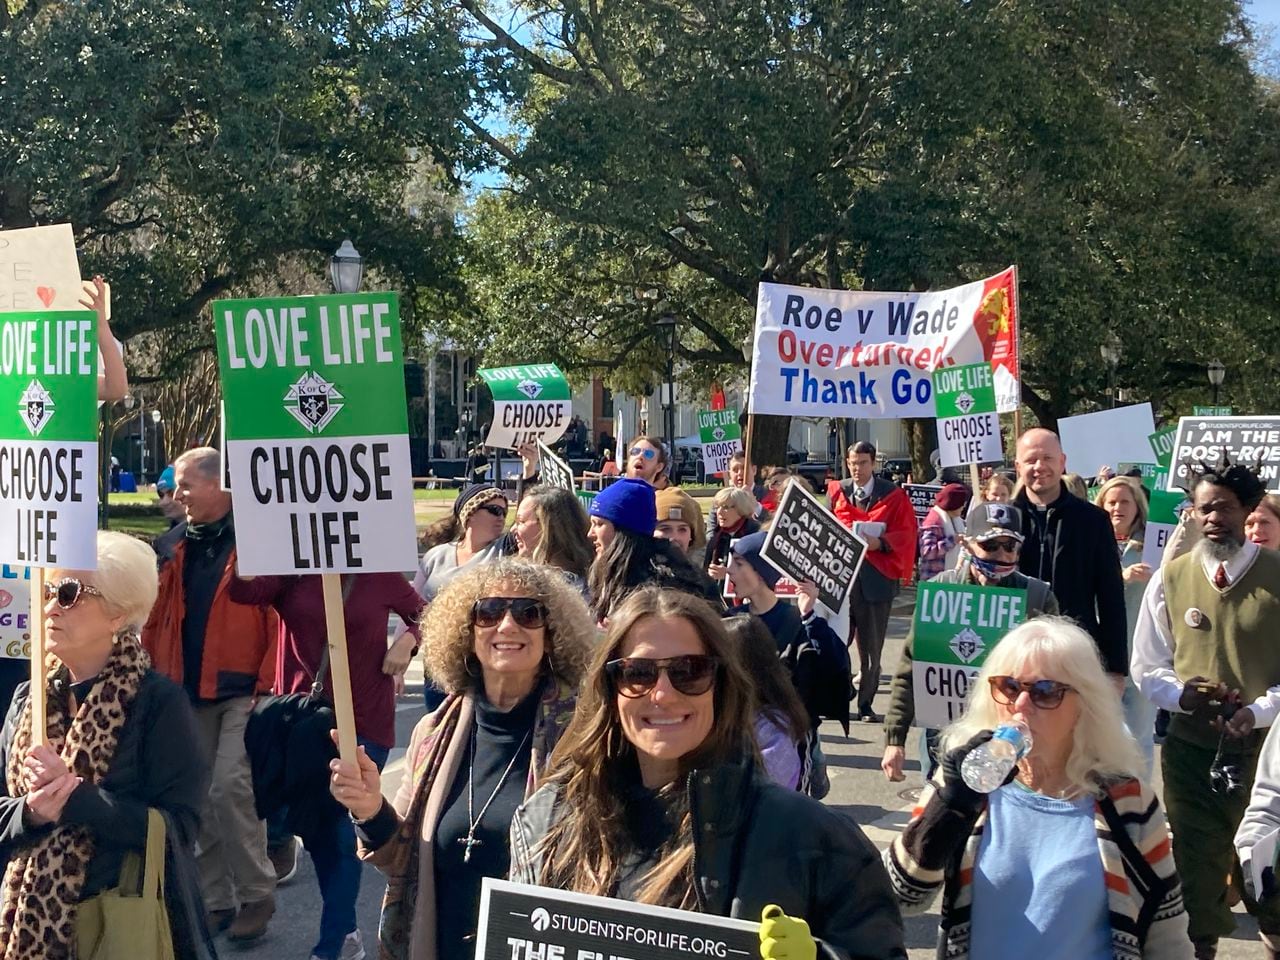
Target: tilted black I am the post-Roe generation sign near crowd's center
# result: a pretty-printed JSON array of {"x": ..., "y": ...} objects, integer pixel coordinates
[{"x": 807, "y": 542}]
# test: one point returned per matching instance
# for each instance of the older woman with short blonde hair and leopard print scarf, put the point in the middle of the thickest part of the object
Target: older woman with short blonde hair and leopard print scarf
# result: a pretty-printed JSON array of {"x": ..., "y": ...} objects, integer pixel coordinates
[{"x": 121, "y": 739}]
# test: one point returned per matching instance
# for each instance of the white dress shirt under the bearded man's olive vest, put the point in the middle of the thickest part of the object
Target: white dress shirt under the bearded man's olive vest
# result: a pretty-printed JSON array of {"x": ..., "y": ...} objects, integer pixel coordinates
[{"x": 1153, "y": 661}]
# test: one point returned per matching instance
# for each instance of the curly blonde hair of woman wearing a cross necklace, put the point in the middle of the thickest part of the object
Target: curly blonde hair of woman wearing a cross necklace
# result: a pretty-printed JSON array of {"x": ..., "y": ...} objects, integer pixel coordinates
[{"x": 450, "y": 638}]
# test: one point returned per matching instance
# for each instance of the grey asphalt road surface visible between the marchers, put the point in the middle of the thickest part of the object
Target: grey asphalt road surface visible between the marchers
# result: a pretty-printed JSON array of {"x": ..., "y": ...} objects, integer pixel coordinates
[{"x": 858, "y": 789}]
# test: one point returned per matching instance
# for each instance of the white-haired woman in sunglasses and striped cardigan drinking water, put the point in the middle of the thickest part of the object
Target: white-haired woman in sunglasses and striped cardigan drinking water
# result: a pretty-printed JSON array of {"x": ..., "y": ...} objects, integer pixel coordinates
[{"x": 1071, "y": 860}]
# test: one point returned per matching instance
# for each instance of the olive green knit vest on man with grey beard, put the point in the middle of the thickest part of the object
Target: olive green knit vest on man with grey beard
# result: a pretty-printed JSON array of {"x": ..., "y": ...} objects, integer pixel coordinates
[{"x": 1236, "y": 641}]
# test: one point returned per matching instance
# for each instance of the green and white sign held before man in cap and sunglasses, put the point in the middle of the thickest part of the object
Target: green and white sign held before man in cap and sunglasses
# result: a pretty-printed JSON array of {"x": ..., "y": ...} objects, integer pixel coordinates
[{"x": 956, "y": 628}]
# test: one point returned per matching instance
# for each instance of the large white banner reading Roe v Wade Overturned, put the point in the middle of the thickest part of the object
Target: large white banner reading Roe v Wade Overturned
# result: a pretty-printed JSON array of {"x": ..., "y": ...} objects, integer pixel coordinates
[{"x": 868, "y": 355}]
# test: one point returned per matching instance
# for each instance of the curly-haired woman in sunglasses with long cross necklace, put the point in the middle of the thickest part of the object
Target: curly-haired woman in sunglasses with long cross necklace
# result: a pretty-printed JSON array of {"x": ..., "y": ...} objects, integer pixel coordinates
[{"x": 509, "y": 642}]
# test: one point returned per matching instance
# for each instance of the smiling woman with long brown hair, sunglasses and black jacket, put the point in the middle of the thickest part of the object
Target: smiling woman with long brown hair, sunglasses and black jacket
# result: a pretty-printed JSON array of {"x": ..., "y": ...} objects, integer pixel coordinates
[{"x": 657, "y": 796}]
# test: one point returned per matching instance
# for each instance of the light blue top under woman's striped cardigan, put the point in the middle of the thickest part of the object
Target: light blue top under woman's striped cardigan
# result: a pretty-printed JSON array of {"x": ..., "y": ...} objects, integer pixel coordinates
[{"x": 1039, "y": 888}]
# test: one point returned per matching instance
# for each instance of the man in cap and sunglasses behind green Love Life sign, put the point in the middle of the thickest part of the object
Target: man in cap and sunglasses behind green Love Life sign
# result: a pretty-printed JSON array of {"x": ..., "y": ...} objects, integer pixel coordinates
[{"x": 991, "y": 550}]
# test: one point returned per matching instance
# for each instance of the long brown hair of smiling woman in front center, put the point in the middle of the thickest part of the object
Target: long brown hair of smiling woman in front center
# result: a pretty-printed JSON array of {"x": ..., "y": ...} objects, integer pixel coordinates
[{"x": 596, "y": 769}]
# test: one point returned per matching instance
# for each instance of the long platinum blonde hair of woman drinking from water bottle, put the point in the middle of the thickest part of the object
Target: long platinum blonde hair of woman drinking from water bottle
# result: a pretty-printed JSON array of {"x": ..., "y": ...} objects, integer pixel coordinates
[{"x": 1103, "y": 749}]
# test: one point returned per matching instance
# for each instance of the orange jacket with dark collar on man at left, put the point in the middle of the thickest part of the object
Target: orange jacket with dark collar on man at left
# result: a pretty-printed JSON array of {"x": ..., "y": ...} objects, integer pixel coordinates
[{"x": 240, "y": 642}]
